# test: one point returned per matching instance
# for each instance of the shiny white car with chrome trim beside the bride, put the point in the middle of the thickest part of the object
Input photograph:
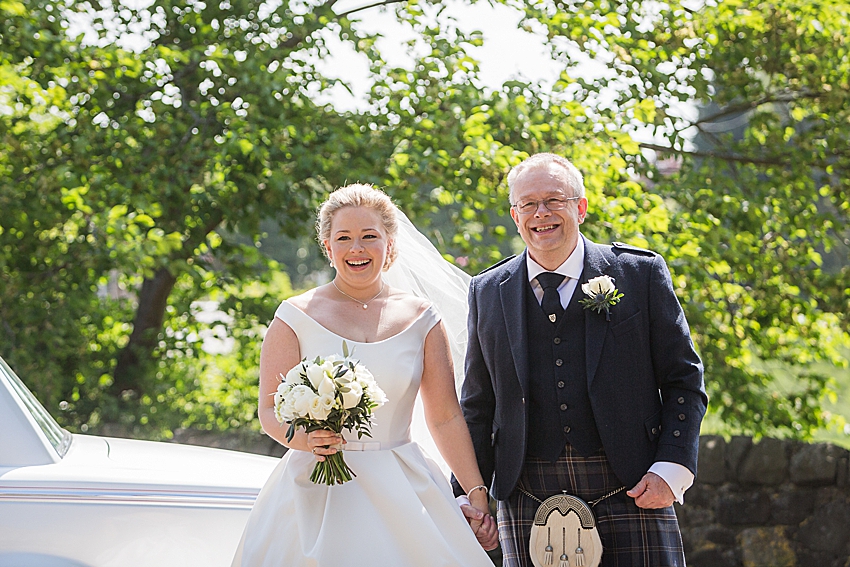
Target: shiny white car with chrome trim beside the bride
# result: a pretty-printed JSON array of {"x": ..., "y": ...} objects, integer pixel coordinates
[{"x": 84, "y": 501}]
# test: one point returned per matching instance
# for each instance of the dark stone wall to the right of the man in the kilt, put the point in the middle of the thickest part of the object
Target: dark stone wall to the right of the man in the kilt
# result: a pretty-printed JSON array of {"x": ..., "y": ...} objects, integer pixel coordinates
[{"x": 774, "y": 503}]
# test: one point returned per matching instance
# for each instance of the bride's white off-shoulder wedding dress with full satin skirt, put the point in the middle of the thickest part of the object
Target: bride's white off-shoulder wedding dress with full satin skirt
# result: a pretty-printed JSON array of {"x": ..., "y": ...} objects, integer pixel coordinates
[{"x": 398, "y": 511}]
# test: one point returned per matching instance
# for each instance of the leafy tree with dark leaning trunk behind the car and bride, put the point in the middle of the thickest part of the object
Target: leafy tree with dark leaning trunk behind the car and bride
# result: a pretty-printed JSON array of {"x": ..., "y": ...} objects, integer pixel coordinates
[{"x": 150, "y": 169}]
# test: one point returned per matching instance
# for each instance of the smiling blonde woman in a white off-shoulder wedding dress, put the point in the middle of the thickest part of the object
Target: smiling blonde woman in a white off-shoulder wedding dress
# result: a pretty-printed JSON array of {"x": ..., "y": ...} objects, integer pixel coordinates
[{"x": 399, "y": 510}]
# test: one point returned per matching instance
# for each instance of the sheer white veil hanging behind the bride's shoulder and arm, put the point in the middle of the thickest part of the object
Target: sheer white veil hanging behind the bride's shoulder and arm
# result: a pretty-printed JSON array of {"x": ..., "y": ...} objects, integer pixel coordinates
[{"x": 420, "y": 269}]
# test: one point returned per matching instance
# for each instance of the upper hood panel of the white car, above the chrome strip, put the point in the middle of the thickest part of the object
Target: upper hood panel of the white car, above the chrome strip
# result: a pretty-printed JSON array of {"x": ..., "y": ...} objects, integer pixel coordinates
[{"x": 132, "y": 464}]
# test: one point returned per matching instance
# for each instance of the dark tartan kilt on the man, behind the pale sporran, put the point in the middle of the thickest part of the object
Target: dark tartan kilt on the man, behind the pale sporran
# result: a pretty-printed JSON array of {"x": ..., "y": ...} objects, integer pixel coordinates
[{"x": 631, "y": 536}]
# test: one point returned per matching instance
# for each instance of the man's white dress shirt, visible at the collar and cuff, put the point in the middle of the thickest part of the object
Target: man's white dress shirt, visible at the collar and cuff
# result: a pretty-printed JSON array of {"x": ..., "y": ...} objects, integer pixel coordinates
[{"x": 677, "y": 476}]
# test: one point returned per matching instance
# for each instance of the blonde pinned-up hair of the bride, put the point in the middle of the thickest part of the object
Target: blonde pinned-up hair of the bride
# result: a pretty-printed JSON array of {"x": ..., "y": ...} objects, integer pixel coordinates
[{"x": 359, "y": 195}]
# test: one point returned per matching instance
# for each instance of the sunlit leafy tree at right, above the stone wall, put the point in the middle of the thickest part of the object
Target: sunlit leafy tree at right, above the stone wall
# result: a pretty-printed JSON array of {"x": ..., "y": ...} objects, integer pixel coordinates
[{"x": 761, "y": 191}]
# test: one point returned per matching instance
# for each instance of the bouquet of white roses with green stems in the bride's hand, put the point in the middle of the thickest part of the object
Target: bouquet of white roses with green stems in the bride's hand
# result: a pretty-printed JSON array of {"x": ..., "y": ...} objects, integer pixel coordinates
[{"x": 332, "y": 393}]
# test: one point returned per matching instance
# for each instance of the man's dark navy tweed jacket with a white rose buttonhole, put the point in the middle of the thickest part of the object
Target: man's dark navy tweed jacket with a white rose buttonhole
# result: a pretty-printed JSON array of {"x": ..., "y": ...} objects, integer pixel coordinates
[{"x": 644, "y": 378}]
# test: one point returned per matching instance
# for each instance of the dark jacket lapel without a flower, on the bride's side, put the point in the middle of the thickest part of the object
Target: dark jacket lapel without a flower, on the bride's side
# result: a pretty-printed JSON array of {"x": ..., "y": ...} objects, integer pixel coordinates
[{"x": 513, "y": 307}]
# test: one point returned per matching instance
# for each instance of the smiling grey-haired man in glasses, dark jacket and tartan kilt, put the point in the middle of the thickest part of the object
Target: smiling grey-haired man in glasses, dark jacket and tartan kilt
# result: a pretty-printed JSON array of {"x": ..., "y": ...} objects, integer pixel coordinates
[{"x": 559, "y": 397}]
